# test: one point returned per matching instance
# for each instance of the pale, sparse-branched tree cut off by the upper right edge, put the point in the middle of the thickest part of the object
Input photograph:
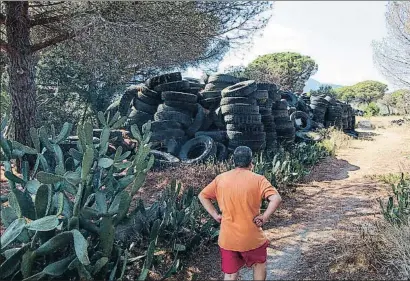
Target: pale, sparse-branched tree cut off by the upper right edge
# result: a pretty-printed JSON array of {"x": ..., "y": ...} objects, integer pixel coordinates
[{"x": 392, "y": 54}]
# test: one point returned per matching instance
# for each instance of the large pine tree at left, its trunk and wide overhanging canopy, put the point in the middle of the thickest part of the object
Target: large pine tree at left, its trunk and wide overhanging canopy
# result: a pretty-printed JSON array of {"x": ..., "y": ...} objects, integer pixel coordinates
[{"x": 118, "y": 37}]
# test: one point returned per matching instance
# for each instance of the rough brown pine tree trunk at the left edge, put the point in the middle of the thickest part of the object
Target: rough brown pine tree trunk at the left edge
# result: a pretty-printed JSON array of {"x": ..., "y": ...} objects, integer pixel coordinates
[{"x": 21, "y": 70}]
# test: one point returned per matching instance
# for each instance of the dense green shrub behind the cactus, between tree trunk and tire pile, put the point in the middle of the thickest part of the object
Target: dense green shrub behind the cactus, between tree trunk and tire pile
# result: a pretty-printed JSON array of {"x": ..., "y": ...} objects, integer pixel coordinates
[{"x": 68, "y": 90}]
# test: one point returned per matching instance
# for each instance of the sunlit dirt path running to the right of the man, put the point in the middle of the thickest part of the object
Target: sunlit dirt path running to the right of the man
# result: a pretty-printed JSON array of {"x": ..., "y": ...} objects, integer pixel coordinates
[{"x": 308, "y": 235}]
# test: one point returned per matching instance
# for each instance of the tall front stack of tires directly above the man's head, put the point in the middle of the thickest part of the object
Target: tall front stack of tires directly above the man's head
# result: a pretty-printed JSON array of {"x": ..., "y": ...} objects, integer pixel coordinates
[{"x": 241, "y": 114}]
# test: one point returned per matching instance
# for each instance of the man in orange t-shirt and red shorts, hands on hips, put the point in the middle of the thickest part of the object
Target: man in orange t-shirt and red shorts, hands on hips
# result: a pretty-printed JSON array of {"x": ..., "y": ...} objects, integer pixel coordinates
[{"x": 239, "y": 194}]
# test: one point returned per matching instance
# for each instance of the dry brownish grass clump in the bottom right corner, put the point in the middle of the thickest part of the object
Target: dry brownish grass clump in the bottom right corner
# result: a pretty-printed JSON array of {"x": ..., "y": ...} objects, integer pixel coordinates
[{"x": 388, "y": 248}]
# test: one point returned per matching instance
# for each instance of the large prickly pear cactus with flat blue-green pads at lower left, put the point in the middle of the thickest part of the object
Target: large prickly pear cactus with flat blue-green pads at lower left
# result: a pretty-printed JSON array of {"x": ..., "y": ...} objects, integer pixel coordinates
[{"x": 69, "y": 200}]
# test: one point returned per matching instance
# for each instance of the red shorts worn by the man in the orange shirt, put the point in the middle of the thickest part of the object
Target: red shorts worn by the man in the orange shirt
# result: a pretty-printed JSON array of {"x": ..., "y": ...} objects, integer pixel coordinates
[{"x": 232, "y": 261}]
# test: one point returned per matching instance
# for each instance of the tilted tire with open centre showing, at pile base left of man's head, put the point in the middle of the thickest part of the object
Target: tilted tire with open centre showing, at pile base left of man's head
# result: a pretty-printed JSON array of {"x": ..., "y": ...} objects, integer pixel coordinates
[{"x": 202, "y": 148}]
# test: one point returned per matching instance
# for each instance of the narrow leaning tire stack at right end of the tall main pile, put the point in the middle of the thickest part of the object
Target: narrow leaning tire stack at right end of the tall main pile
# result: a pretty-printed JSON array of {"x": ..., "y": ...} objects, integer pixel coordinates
[{"x": 285, "y": 129}]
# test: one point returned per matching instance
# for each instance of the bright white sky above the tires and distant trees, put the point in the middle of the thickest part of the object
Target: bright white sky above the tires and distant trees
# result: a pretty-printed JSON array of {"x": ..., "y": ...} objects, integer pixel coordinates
[{"x": 337, "y": 35}]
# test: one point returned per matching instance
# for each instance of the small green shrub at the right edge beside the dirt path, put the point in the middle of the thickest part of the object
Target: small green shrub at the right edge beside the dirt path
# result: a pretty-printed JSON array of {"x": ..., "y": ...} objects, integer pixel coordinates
[{"x": 397, "y": 208}]
